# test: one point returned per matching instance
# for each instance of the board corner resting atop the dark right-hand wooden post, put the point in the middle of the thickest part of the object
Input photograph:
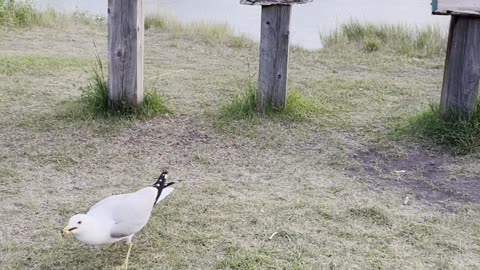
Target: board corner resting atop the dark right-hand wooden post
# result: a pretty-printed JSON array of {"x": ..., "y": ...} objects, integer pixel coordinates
[{"x": 456, "y": 7}]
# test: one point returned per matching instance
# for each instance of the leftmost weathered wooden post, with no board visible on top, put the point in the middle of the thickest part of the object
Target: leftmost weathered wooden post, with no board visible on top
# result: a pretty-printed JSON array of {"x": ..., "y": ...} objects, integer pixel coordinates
[{"x": 125, "y": 52}]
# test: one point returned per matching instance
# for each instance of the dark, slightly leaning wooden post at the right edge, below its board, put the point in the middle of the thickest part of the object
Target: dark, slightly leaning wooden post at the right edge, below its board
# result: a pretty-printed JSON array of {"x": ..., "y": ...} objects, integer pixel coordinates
[{"x": 462, "y": 67}]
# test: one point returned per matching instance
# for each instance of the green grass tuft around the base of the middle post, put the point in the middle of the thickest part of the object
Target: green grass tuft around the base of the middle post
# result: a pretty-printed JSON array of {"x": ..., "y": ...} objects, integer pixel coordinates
[{"x": 244, "y": 106}]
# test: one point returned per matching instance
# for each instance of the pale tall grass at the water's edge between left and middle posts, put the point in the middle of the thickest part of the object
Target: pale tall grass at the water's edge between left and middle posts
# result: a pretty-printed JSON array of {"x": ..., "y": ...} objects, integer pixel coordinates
[{"x": 209, "y": 33}]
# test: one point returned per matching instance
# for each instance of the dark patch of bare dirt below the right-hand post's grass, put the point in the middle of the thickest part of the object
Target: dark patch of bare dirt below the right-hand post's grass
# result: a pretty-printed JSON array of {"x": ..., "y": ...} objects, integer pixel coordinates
[{"x": 419, "y": 174}]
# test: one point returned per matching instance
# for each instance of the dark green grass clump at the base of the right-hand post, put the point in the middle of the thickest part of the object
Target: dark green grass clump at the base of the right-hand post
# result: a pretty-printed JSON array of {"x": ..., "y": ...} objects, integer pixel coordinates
[{"x": 457, "y": 132}]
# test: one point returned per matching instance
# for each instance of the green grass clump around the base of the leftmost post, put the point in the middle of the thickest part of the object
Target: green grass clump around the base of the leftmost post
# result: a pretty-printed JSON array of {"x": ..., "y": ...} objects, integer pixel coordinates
[{"x": 94, "y": 100}]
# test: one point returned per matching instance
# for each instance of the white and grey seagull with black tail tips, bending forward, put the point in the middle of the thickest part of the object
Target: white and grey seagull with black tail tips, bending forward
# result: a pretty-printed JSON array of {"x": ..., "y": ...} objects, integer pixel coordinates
[{"x": 118, "y": 217}]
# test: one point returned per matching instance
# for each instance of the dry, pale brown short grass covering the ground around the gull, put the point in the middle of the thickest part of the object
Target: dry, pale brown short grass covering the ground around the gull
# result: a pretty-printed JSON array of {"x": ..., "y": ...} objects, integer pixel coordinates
[{"x": 244, "y": 181}]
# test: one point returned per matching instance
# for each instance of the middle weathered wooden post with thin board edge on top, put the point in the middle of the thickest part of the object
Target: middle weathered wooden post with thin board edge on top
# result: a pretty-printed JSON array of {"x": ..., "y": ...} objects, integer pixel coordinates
[{"x": 272, "y": 76}]
